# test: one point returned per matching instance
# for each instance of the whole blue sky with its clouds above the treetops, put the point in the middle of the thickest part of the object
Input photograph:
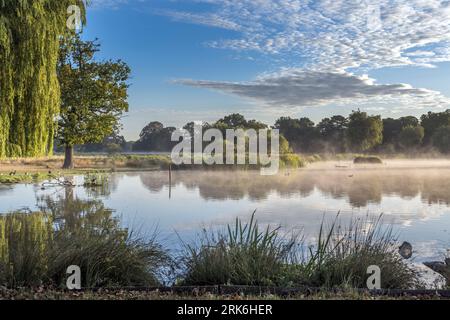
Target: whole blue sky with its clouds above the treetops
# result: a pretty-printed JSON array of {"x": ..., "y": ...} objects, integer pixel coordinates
[{"x": 198, "y": 60}]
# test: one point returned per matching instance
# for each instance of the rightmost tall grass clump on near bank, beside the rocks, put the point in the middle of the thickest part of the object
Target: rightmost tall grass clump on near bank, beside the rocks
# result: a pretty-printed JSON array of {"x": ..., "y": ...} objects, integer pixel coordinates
[{"x": 342, "y": 256}]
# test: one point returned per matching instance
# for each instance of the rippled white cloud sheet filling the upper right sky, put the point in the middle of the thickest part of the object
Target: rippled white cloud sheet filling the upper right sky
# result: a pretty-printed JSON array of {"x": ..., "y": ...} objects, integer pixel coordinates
[{"x": 335, "y": 33}]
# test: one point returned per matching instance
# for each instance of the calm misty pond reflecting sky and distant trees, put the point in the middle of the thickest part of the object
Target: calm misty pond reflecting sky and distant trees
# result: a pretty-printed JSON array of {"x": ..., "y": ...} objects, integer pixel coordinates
[{"x": 413, "y": 197}]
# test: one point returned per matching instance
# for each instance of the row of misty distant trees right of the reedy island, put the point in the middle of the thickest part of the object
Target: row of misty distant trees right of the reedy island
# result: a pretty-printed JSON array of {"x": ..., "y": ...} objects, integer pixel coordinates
[{"x": 360, "y": 132}]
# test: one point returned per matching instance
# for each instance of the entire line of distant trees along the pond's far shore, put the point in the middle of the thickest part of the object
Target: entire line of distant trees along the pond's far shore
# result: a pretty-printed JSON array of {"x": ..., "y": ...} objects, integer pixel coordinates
[{"x": 359, "y": 132}]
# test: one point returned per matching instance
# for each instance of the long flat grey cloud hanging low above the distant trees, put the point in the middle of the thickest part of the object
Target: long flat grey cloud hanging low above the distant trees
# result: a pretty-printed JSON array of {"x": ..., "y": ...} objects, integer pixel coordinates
[{"x": 296, "y": 87}]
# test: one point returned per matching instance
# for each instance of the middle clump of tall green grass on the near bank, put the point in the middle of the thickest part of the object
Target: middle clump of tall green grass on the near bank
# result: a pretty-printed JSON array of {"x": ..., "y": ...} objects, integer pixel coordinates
[{"x": 243, "y": 254}]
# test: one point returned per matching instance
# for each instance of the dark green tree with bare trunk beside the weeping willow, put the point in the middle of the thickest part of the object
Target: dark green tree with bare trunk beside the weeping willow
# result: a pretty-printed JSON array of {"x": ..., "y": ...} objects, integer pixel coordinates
[{"x": 93, "y": 95}]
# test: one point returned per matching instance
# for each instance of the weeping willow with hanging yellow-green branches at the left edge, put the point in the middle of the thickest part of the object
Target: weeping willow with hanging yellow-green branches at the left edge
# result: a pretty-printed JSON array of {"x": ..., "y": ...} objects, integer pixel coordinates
[{"x": 30, "y": 31}]
